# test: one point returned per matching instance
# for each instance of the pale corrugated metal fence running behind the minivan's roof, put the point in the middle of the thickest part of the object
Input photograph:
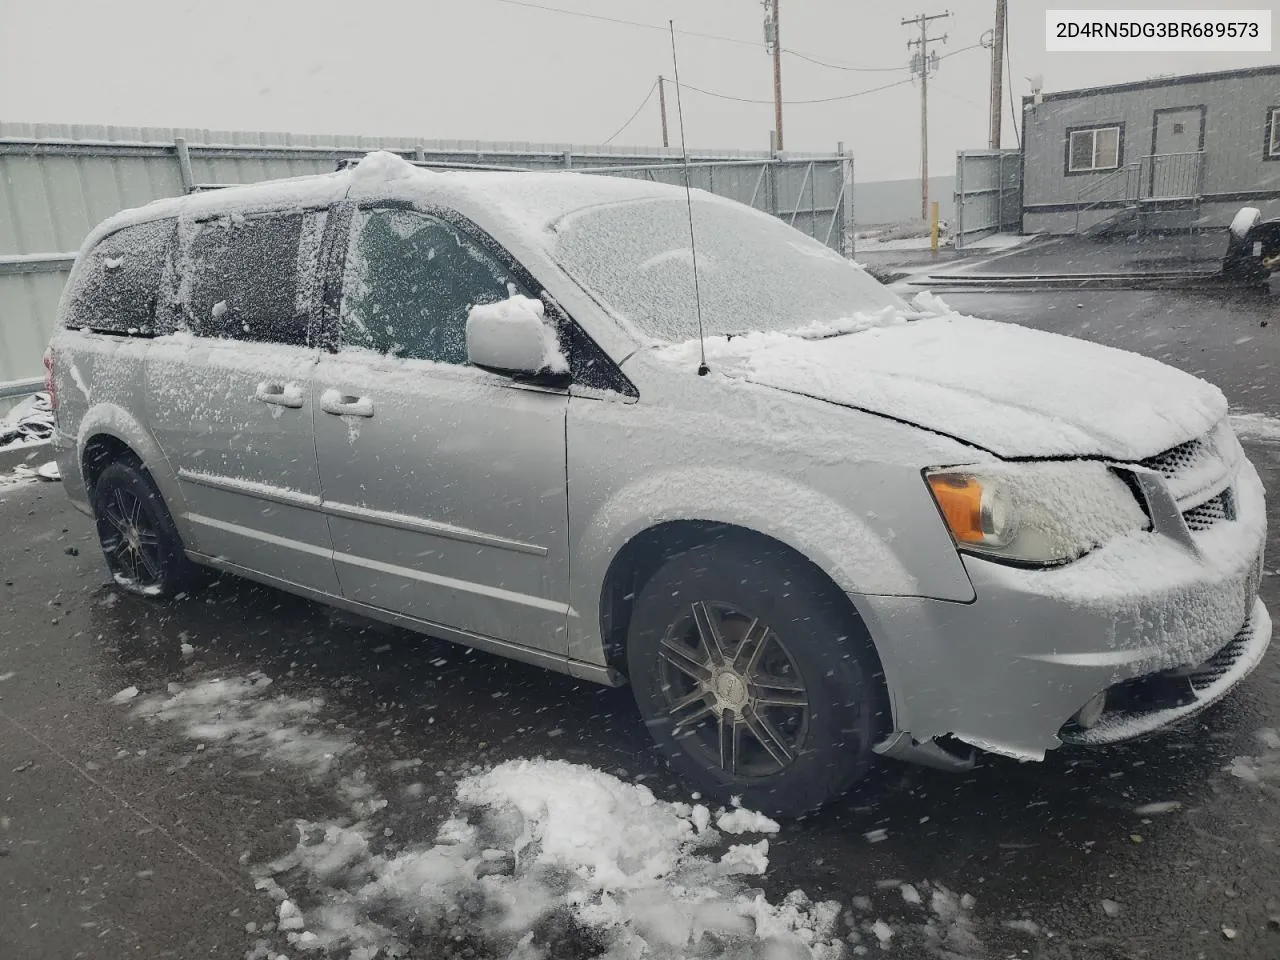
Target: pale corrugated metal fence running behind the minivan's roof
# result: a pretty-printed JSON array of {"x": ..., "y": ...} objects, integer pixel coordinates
[{"x": 58, "y": 181}]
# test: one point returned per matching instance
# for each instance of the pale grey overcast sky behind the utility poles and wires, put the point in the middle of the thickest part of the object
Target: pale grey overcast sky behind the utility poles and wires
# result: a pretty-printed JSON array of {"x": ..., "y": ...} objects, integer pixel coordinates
[{"x": 492, "y": 70}]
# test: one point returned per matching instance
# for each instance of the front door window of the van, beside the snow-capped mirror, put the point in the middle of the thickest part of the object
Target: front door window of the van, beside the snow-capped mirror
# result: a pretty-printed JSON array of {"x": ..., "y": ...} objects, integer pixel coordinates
[{"x": 410, "y": 282}]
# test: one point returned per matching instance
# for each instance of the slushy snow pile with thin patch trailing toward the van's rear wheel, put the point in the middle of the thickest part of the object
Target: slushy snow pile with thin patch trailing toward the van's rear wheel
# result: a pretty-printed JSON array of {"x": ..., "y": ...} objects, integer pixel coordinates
[{"x": 540, "y": 861}]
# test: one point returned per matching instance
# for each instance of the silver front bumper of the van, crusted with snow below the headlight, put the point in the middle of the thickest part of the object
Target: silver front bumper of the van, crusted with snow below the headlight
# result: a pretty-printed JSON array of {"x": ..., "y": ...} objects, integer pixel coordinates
[{"x": 1011, "y": 671}]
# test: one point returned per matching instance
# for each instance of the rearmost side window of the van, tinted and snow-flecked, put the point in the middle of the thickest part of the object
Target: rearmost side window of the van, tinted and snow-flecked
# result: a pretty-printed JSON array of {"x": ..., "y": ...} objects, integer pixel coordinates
[{"x": 120, "y": 281}]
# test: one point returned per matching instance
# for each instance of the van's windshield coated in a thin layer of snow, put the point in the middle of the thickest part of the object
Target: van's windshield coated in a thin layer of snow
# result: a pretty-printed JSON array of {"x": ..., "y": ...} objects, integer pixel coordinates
[{"x": 756, "y": 273}]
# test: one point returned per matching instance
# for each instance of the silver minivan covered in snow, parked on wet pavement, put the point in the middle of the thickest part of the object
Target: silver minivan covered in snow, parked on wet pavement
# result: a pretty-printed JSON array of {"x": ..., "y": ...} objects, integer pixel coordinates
[{"x": 807, "y": 522}]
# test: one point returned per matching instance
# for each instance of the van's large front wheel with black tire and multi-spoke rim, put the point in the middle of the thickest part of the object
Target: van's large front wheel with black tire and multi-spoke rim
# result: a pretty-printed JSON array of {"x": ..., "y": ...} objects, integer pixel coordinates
[{"x": 806, "y": 644}]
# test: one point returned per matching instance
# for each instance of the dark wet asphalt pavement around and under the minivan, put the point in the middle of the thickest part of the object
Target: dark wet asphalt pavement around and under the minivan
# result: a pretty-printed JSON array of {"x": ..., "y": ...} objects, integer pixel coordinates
[{"x": 121, "y": 838}]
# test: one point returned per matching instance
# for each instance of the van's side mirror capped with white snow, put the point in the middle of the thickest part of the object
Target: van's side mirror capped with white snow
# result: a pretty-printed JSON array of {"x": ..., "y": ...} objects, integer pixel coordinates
[{"x": 515, "y": 337}]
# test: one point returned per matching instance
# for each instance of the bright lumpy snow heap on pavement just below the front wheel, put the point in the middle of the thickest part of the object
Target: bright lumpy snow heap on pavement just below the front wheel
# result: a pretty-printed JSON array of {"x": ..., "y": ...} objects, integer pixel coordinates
[{"x": 547, "y": 860}]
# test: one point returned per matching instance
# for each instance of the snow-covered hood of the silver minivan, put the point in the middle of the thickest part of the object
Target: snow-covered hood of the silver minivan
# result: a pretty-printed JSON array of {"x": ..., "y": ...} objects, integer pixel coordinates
[{"x": 1009, "y": 390}]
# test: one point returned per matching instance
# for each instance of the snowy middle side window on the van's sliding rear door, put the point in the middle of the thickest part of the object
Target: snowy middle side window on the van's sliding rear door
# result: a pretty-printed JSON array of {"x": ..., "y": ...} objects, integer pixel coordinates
[{"x": 244, "y": 277}]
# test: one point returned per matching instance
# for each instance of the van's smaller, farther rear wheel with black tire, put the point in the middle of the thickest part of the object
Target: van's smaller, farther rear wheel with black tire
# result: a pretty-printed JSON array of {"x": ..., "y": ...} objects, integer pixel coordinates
[{"x": 139, "y": 538}]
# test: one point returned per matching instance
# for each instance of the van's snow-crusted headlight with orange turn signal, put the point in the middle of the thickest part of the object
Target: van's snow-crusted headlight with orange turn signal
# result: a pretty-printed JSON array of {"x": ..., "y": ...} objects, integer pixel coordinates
[{"x": 1050, "y": 513}]
